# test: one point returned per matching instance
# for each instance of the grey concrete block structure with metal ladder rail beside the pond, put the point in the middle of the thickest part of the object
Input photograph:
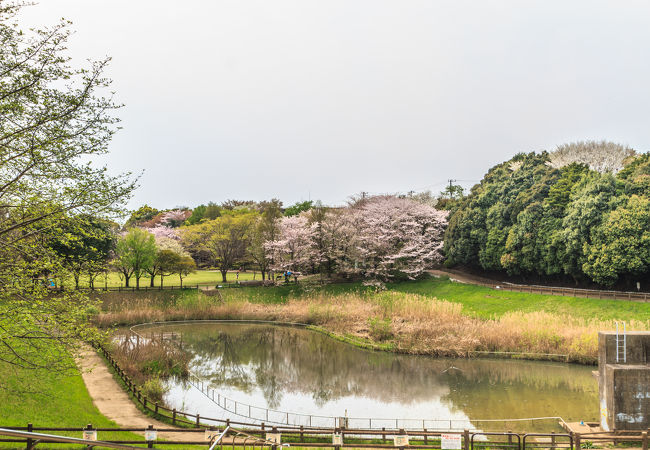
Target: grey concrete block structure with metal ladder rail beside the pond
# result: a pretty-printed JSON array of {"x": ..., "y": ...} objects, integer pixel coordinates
[{"x": 624, "y": 380}]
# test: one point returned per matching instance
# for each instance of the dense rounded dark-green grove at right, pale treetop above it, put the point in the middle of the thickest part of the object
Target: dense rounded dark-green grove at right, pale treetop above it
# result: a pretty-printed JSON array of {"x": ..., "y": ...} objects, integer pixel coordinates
[{"x": 581, "y": 212}]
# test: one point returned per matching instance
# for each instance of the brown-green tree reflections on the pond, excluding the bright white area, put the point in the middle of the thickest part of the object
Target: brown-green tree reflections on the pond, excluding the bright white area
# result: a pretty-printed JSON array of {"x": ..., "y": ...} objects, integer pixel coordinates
[{"x": 281, "y": 359}]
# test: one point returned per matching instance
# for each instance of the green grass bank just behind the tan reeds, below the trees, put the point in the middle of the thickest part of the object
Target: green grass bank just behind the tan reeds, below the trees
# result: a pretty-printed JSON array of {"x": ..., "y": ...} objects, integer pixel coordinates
[{"x": 477, "y": 301}]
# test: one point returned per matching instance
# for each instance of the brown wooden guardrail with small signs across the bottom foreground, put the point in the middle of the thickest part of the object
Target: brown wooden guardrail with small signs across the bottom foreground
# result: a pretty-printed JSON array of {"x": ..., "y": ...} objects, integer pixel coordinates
[{"x": 326, "y": 439}]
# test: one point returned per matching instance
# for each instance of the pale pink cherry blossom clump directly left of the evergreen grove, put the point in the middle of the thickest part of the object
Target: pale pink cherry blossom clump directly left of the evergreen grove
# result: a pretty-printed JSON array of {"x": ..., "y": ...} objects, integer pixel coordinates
[{"x": 383, "y": 237}]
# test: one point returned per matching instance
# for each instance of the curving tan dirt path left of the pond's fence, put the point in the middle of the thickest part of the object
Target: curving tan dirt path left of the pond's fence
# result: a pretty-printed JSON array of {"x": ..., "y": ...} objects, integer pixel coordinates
[{"x": 111, "y": 400}]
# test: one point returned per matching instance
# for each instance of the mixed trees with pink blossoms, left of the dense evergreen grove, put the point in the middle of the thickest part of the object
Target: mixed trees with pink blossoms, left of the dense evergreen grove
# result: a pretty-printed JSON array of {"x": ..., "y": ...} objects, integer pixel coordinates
[{"x": 382, "y": 237}]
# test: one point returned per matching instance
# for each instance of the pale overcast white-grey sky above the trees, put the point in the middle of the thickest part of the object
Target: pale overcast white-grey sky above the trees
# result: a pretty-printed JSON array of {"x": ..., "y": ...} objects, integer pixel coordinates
[{"x": 300, "y": 99}]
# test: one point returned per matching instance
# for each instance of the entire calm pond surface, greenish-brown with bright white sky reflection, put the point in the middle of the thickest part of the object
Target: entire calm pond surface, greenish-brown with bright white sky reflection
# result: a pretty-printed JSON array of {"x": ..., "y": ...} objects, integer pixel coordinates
[{"x": 305, "y": 373}]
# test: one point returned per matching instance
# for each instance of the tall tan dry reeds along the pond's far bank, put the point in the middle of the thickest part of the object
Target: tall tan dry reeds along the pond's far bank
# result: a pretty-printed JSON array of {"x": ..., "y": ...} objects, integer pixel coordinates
[{"x": 411, "y": 323}]
